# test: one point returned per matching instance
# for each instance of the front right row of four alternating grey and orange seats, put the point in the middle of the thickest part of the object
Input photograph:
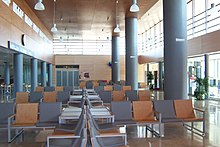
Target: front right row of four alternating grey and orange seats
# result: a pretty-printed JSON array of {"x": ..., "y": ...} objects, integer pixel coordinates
[{"x": 158, "y": 111}]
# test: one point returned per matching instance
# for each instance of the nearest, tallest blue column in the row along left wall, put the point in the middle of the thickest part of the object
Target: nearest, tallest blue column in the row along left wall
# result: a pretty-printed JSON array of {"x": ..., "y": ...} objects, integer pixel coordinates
[{"x": 18, "y": 73}]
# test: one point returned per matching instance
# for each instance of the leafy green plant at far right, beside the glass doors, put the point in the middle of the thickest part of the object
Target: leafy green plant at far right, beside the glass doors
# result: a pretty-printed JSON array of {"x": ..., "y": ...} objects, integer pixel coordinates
[{"x": 201, "y": 90}]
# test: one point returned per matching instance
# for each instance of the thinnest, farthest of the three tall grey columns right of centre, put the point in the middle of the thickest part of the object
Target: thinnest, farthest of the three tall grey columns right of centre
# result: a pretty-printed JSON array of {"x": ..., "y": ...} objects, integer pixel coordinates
[{"x": 115, "y": 57}]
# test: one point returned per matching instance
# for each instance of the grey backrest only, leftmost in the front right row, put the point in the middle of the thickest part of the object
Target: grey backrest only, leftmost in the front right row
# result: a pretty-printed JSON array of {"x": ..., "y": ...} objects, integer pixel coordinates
[{"x": 122, "y": 110}]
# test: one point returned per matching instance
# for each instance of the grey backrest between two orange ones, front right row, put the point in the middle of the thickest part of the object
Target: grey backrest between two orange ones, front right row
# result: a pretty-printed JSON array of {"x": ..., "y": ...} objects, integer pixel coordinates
[{"x": 165, "y": 107}]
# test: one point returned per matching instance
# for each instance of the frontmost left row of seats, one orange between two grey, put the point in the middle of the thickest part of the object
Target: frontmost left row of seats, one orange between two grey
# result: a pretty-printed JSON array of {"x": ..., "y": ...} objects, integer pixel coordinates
[{"x": 15, "y": 118}]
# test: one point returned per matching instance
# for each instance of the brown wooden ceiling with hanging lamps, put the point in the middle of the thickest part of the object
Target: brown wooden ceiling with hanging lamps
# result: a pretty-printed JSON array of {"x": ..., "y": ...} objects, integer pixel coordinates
[{"x": 87, "y": 19}]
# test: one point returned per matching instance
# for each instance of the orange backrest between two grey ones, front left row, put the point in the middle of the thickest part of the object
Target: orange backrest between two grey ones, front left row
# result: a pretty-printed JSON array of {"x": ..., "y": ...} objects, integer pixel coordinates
[{"x": 26, "y": 113}]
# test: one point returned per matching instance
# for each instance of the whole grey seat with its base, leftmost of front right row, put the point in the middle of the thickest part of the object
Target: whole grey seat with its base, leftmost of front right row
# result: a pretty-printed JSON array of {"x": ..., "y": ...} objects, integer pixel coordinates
[{"x": 123, "y": 112}]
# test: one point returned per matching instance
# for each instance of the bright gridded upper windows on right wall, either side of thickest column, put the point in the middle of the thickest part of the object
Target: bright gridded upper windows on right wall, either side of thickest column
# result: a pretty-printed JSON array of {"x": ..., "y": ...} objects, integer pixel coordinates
[{"x": 203, "y": 16}]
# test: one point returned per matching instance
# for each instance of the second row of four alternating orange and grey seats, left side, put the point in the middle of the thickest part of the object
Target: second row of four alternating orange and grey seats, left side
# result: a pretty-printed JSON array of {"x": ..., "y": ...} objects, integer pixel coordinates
[{"x": 35, "y": 97}]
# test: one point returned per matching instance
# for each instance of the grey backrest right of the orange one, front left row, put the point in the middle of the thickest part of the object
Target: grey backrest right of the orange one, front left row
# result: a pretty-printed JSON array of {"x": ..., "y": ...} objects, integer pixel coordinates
[{"x": 50, "y": 112}]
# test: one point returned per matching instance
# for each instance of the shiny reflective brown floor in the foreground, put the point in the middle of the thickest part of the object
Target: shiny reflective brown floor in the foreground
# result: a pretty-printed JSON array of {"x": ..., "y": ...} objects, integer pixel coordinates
[{"x": 174, "y": 134}]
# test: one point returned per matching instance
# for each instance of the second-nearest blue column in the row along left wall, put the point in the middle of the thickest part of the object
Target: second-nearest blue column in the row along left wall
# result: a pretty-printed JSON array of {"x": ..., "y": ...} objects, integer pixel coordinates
[{"x": 34, "y": 77}]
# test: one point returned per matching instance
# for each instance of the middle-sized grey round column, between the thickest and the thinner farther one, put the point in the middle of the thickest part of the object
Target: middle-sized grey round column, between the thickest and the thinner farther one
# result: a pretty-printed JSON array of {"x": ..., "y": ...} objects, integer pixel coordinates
[{"x": 131, "y": 52}]
